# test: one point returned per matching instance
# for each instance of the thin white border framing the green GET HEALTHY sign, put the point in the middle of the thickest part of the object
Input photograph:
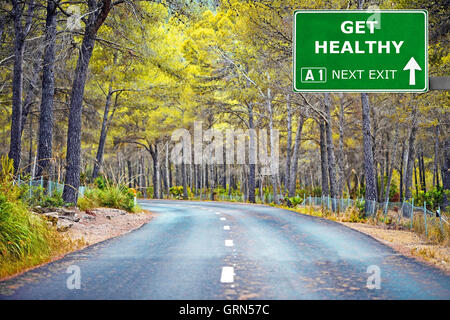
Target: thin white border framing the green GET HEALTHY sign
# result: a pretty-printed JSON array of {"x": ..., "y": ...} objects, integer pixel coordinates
[{"x": 423, "y": 11}]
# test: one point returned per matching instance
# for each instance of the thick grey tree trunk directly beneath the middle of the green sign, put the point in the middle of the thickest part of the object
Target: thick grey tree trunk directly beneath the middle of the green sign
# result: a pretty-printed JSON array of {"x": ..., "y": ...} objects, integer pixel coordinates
[{"x": 369, "y": 170}]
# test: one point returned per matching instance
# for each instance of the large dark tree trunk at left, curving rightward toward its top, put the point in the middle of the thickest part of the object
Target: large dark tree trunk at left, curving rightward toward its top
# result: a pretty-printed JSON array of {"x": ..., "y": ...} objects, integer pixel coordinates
[{"x": 99, "y": 11}]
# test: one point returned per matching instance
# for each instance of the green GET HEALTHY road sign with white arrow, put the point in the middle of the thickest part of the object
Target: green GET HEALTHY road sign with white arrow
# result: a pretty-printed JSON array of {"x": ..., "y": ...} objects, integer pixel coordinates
[{"x": 360, "y": 51}]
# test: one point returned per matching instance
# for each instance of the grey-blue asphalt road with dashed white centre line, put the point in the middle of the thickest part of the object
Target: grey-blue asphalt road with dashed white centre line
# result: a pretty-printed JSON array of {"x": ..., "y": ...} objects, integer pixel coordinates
[{"x": 212, "y": 250}]
